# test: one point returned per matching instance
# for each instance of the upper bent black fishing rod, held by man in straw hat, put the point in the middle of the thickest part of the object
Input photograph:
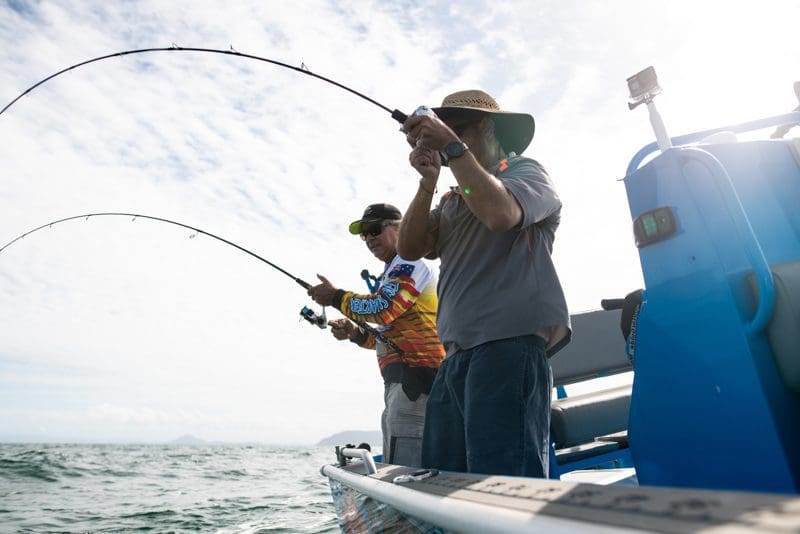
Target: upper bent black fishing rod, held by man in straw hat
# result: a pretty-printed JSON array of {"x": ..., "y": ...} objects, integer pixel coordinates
[{"x": 396, "y": 114}]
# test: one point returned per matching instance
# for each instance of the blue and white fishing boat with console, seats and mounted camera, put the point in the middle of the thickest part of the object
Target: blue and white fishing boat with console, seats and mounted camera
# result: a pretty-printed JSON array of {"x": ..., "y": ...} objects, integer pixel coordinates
[{"x": 707, "y": 436}]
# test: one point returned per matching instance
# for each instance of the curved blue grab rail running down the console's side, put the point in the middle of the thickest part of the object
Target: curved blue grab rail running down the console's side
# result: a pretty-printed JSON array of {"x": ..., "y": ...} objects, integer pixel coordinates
[{"x": 766, "y": 283}]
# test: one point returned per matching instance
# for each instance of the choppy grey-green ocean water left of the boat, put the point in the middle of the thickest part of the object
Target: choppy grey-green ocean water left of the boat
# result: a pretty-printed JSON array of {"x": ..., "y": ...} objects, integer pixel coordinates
[{"x": 164, "y": 488}]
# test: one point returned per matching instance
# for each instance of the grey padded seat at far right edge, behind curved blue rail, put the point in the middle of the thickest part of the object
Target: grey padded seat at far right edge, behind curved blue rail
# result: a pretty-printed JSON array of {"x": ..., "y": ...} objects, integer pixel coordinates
[{"x": 783, "y": 331}]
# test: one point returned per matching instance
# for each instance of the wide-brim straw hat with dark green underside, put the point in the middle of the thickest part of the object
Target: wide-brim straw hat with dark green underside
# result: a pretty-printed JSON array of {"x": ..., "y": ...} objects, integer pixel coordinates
[{"x": 514, "y": 131}]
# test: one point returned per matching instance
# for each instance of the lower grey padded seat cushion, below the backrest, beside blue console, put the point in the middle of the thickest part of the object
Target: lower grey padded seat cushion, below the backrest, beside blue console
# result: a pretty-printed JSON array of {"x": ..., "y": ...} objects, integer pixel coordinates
[{"x": 580, "y": 419}]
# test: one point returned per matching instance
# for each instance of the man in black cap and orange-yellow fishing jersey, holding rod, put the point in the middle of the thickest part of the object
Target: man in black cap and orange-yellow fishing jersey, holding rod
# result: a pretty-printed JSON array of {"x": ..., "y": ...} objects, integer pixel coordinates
[{"x": 407, "y": 345}]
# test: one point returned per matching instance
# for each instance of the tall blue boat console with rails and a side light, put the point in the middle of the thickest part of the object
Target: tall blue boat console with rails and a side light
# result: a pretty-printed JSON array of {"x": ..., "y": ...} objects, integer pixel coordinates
[{"x": 716, "y": 393}]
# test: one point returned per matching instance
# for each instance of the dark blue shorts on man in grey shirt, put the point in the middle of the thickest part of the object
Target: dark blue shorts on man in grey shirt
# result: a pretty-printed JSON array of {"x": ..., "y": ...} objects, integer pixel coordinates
[{"x": 489, "y": 410}]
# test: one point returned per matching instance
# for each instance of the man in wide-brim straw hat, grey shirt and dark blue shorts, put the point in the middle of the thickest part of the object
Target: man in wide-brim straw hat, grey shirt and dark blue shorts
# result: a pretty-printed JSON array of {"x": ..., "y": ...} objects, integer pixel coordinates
[{"x": 502, "y": 311}]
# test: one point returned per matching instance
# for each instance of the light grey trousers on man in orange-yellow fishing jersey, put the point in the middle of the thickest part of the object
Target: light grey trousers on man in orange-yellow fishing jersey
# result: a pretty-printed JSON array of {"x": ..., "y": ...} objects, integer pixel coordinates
[{"x": 402, "y": 423}]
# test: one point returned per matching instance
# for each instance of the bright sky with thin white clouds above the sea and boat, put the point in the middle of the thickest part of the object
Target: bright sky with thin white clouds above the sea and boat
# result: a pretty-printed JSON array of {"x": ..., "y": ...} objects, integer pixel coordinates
[{"x": 116, "y": 330}]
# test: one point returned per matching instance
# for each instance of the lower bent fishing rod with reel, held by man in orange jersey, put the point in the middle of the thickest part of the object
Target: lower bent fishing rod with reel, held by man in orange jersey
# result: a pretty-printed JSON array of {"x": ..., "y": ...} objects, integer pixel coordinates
[{"x": 309, "y": 315}]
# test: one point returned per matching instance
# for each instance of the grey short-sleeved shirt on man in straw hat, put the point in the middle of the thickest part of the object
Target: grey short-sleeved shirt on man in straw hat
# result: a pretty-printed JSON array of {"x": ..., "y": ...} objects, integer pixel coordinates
[{"x": 499, "y": 285}]
